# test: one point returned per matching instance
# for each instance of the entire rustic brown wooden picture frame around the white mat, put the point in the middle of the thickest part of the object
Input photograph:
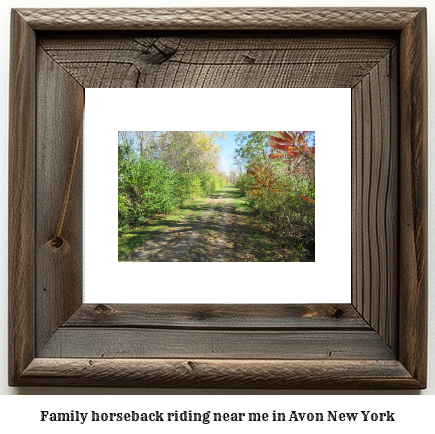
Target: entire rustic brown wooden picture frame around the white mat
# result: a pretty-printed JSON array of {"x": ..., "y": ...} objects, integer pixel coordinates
[{"x": 377, "y": 341}]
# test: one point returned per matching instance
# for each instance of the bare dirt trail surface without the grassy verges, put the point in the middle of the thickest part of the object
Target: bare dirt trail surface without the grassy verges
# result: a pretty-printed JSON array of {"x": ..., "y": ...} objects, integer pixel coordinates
[{"x": 216, "y": 235}]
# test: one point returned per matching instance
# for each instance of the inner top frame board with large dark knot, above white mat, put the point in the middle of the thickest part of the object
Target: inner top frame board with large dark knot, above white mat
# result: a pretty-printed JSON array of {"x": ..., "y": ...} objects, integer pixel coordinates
[{"x": 236, "y": 60}]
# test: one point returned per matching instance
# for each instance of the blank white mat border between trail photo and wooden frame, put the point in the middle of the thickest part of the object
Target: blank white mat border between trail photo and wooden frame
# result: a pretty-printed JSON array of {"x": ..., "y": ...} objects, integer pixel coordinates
[{"x": 328, "y": 280}]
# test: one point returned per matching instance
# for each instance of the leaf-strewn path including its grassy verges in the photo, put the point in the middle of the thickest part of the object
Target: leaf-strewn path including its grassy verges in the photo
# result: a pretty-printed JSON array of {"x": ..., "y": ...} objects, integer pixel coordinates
[{"x": 217, "y": 229}]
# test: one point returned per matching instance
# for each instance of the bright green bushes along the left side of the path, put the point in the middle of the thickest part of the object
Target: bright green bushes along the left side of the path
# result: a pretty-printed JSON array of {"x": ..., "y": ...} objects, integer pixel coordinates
[{"x": 148, "y": 187}]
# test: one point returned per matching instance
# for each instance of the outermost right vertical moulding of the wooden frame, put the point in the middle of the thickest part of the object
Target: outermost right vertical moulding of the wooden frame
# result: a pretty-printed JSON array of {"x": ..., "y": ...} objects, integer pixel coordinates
[{"x": 413, "y": 187}]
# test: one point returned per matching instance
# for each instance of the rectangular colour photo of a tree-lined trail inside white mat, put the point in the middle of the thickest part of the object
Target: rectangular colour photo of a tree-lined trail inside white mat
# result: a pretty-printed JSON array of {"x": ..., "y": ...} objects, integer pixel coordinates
[{"x": 216, "y": 196}]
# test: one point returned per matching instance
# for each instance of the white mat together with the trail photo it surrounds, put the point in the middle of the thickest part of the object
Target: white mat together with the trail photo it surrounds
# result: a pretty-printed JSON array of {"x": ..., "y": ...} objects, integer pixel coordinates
[{"x": 216, "y": 235}]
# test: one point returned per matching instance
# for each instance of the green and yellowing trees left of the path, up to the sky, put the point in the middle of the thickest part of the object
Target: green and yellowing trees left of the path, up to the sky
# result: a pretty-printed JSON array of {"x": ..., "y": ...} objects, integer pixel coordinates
[{"x": 159, "y": 171}]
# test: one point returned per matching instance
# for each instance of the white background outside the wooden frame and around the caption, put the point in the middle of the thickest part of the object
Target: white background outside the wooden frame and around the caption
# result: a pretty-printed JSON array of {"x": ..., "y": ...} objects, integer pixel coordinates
[{"x": 21, "y": 412}]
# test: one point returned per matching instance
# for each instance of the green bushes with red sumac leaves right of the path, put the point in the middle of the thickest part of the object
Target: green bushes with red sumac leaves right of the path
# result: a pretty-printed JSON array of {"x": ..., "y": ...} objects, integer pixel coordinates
[{"x": 281, "y": 191}]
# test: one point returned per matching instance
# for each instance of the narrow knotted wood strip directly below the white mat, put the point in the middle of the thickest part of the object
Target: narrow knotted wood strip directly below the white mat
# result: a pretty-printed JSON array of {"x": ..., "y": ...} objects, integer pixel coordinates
[{"x": 220, "y": 317}]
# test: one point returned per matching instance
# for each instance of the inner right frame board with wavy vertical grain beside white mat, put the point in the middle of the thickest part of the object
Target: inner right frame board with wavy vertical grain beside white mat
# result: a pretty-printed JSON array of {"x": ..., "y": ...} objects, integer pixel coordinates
[{"x": 375, "y": 197}]
